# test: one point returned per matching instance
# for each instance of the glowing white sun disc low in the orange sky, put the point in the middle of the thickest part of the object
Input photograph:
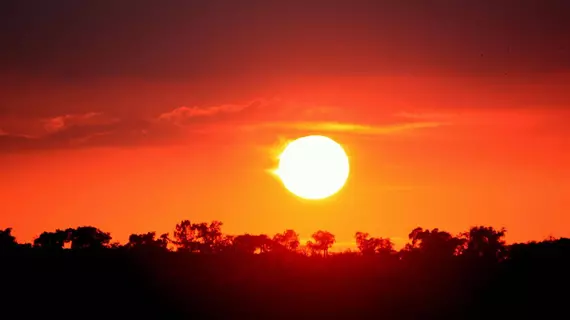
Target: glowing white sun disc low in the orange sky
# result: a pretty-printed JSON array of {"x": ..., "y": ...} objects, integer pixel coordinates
[{"x": 313, "y": 167}]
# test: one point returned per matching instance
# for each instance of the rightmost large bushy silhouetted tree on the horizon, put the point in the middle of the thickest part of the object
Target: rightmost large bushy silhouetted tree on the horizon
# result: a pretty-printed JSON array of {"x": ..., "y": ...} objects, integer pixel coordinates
[{"x": 485, "y": 242}]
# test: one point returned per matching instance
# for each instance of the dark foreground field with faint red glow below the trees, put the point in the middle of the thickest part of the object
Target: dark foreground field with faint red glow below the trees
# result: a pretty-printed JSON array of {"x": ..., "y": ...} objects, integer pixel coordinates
[{"x": 114, "y": 284}]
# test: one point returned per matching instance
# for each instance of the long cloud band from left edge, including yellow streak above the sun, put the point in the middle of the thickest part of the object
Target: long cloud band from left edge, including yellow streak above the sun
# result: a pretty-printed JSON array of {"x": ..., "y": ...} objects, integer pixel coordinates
[{"x": 184, "y": 124}]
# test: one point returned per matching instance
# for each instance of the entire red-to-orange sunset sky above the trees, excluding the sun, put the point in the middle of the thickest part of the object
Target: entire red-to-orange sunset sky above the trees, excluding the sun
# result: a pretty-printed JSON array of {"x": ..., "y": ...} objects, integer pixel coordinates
[{"x": 133, "y": 115}]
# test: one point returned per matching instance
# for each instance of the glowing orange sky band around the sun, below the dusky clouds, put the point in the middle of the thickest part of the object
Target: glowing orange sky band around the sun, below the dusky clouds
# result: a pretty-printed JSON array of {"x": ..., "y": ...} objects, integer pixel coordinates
[{"x": 500, "y": 166}]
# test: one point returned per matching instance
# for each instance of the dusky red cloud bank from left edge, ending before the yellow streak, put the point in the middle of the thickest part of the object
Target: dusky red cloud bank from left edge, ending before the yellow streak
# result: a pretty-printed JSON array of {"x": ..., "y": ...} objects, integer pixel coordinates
[{"x": 100, "y": 130}]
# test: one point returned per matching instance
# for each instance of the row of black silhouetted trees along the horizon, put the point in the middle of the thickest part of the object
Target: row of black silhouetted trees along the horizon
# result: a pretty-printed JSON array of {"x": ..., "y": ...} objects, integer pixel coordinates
[{"x": 481, "y": 242}]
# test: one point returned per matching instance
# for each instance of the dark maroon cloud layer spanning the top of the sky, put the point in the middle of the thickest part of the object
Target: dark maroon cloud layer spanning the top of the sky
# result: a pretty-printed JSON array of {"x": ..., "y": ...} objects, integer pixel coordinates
[{"x": 189, "y": 39}]
